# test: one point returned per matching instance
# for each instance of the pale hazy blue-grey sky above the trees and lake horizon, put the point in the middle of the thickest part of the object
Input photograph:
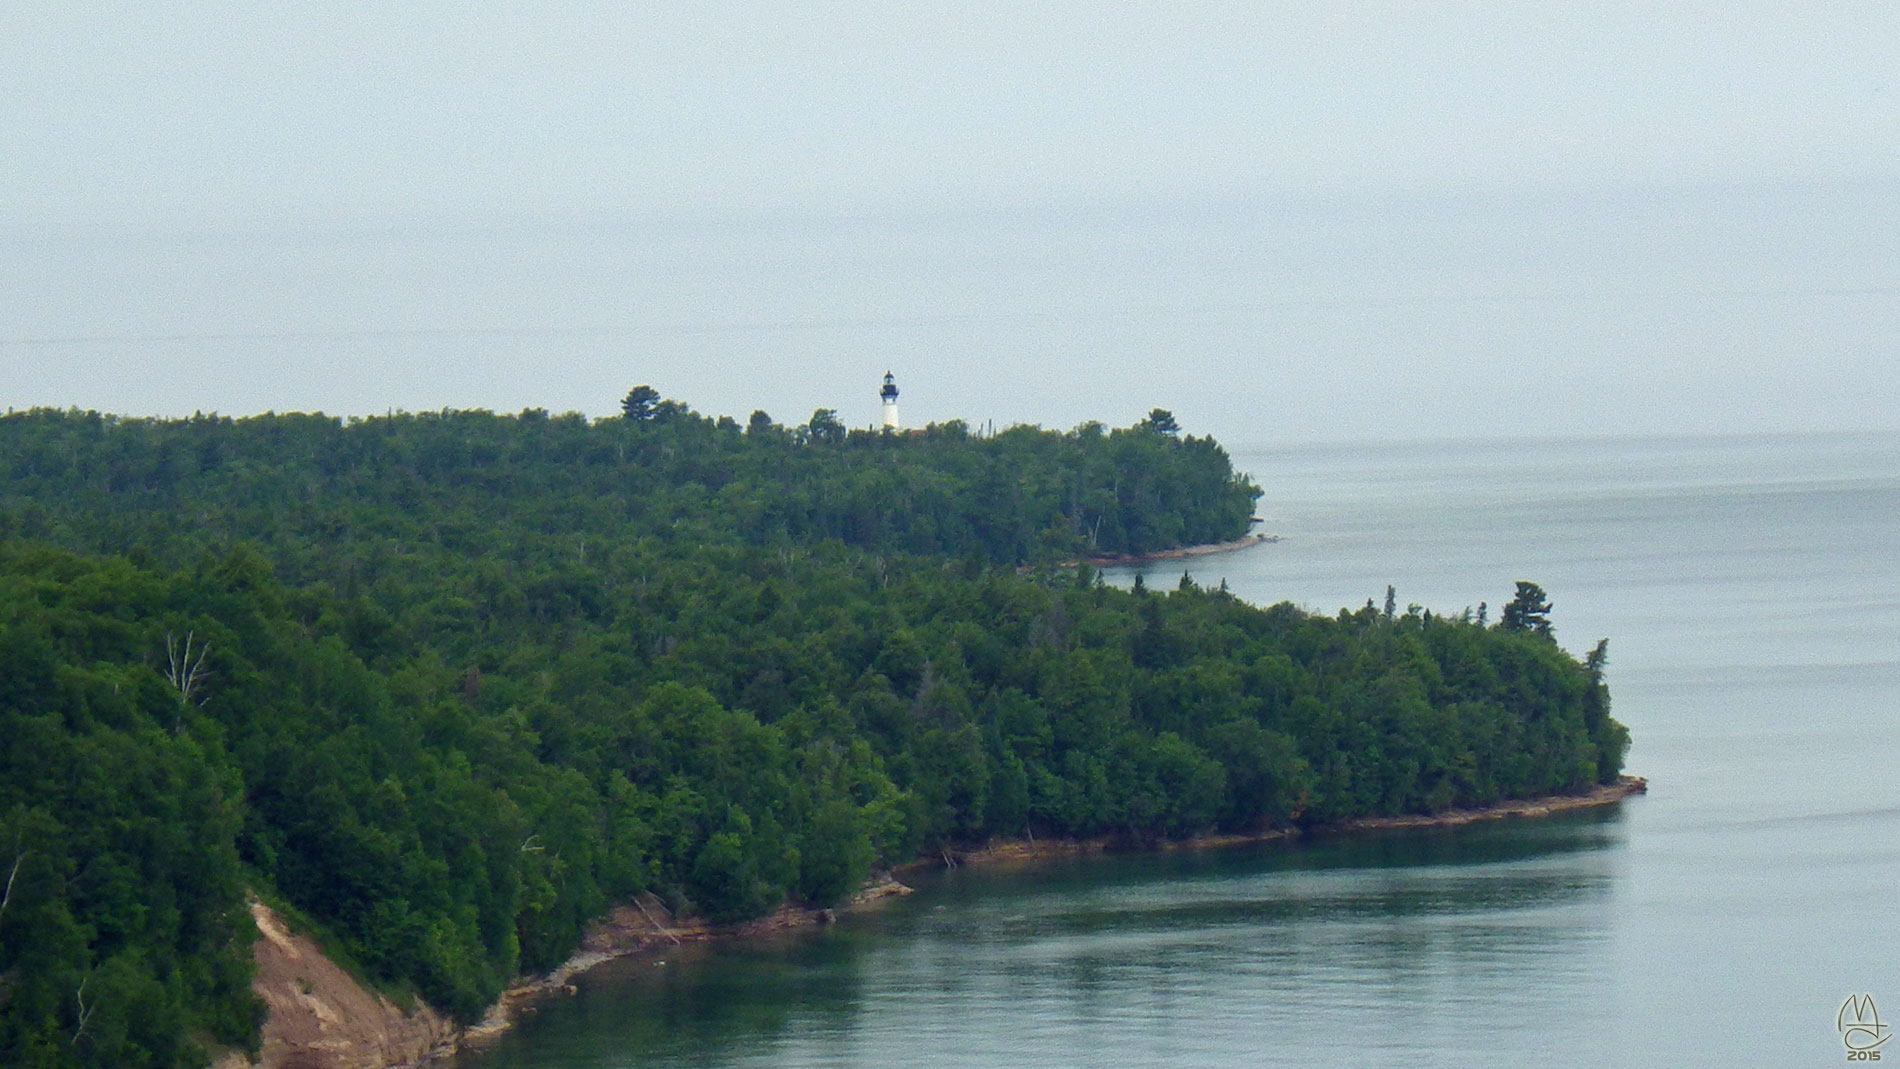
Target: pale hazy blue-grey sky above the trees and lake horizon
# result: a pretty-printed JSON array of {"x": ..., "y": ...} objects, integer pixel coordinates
[{"x": 1283, "y": 221}]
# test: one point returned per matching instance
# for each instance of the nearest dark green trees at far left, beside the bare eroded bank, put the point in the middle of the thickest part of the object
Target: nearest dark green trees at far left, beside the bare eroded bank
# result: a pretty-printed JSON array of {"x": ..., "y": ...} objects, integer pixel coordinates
[{"x": 123, "y": 926}]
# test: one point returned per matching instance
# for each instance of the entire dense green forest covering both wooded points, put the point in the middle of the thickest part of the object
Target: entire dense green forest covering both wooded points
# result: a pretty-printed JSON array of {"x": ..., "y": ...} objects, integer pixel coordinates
[{"x": 446, "y": 686}]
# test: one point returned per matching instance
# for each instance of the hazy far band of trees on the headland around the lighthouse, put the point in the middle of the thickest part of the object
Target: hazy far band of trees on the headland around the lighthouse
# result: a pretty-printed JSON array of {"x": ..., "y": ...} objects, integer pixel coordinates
[{"x": 485, "y": 483}]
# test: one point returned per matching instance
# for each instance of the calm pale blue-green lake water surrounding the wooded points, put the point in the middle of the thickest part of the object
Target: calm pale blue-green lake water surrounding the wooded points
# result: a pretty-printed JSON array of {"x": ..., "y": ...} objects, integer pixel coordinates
[{"x": 1751, "y": 601}]
